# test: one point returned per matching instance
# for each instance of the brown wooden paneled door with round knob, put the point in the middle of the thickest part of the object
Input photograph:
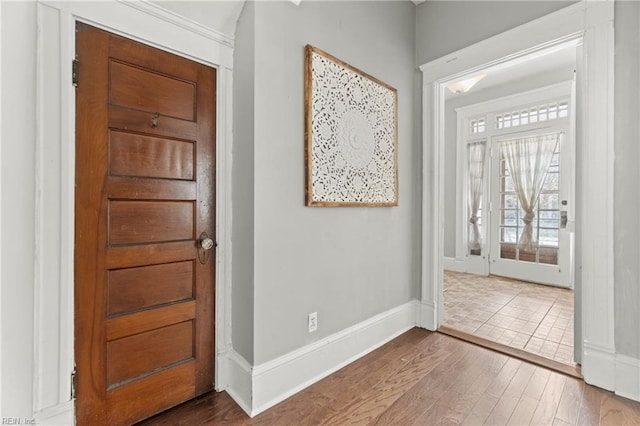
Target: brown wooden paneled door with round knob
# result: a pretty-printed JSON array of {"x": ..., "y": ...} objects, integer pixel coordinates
[{"x": 145, "y": 167}]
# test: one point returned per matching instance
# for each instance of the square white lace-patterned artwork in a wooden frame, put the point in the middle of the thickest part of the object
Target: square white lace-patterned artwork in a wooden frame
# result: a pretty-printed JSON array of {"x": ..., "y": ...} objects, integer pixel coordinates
[{"x": 351, "y": 135}]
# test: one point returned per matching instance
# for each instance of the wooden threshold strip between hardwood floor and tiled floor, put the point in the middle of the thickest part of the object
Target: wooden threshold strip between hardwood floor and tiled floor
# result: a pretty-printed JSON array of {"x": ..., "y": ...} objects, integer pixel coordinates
[{"x": 572, "y": 371}]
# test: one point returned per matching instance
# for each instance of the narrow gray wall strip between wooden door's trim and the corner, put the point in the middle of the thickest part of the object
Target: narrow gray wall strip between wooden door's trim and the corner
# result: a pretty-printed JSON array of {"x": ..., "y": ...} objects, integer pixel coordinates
[{"x": 243, "y": 184}]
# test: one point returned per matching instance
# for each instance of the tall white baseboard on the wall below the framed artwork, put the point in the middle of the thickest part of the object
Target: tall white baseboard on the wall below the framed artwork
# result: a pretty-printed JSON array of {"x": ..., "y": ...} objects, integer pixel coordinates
[{"x": 282, "y": 377}]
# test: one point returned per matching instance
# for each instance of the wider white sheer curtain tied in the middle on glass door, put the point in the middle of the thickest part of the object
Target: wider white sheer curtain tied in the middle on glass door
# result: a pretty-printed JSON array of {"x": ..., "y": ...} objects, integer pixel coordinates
[{"x": 528, "y": 160}]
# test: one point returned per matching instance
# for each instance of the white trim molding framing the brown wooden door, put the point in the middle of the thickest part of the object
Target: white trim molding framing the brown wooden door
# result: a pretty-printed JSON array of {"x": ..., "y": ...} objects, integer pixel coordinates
[{"x": 55, "y": 175}]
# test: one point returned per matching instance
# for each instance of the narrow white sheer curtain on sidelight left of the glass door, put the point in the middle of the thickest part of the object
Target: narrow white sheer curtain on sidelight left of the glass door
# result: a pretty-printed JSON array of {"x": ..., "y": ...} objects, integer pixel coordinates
[{"x": 475, "y": 160}]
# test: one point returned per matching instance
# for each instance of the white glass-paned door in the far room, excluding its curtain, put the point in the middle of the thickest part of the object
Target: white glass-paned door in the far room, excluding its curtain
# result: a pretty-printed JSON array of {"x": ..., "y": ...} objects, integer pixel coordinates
[{"x": 549, "y": 261}]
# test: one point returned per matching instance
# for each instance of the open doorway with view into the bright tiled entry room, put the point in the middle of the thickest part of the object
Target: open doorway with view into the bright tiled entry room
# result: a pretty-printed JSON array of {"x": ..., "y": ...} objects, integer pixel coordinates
[{"x": 495, "y": 288}]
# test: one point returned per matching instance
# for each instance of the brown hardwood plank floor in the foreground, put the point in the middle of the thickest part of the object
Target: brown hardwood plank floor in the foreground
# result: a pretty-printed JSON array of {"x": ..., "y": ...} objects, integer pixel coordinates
[{"x": 425, "y": 378}]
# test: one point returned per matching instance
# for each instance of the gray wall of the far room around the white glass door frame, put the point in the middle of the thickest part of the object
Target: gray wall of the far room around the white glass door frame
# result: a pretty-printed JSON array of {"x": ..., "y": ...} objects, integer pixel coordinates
[{"x": 451, "y": 130}]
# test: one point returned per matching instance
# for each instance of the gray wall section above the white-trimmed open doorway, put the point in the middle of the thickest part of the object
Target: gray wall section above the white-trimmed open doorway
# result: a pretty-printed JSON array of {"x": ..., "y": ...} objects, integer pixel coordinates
[{"x": 446, "y": 26}]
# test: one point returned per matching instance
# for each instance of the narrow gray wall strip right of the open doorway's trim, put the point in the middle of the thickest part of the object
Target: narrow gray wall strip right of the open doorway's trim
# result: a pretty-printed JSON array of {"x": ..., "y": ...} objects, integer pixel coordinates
[{"x": 626, "y": 179}]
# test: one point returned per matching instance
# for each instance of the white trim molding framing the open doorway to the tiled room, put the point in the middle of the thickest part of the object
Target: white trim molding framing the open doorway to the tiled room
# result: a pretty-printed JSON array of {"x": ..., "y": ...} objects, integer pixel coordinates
[{"x": 591, "y": 22}]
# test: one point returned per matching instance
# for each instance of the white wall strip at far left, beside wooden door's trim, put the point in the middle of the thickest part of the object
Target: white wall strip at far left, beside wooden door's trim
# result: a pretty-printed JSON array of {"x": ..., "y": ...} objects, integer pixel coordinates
[{"x": 18, "y": 205}]
